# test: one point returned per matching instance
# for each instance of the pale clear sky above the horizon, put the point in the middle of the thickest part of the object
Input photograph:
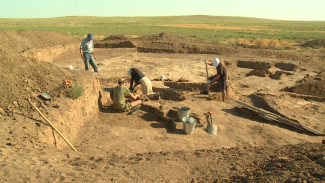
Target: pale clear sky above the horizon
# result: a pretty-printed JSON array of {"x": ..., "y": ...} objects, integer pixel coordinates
[{"x": 271, "y": 9}]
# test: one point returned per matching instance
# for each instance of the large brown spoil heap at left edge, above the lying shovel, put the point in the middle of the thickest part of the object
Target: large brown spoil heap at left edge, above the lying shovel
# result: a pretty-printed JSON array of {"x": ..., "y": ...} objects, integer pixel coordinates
[{"x": 24, "y": 77}]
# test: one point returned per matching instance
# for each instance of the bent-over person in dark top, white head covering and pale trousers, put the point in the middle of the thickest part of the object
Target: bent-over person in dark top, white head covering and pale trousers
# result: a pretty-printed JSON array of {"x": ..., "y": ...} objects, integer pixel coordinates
[{"x": 138, "y": 77}]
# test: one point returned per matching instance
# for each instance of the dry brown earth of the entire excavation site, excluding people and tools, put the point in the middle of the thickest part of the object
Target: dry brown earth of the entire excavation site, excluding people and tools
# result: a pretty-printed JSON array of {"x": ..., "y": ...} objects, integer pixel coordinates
[{"x": 150, "y": 145}]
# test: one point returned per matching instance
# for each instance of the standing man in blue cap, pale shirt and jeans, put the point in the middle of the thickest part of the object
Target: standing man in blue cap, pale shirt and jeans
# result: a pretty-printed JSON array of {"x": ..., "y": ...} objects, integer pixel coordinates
[{"x": 87, "y": 52}]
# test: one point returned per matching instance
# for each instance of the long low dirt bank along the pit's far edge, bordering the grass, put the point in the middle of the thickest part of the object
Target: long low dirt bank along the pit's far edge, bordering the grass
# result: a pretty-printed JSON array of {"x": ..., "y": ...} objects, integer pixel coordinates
[{"x": 169, "y": 43}]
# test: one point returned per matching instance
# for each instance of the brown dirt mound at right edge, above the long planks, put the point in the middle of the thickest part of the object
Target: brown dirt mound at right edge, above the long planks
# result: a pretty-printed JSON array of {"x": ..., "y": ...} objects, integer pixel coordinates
[{"x": 309, "y": 85}]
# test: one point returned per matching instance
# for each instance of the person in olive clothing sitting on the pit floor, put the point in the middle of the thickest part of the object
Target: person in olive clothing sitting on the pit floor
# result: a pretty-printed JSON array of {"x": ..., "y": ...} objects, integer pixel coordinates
[{"x": 123, "y": 99}]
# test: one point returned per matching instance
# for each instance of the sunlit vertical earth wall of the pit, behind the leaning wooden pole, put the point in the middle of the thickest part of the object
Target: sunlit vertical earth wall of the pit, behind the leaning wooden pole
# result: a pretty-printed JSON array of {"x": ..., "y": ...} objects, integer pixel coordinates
[{"x": 71, "y": 114}]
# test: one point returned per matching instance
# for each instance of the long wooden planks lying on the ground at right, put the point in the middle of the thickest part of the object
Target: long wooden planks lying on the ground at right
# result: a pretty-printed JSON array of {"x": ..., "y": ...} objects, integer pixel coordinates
[{"x": 274, "y": 117}]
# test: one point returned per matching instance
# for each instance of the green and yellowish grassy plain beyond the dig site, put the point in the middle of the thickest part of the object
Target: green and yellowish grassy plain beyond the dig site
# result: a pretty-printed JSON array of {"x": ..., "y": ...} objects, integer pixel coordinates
[{"x": 231, "y": 30}]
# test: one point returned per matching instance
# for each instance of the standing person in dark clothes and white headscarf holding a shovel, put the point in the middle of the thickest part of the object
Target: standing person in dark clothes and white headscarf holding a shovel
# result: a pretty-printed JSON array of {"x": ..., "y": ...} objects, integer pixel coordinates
[{"x": 221, "y": 77}]
